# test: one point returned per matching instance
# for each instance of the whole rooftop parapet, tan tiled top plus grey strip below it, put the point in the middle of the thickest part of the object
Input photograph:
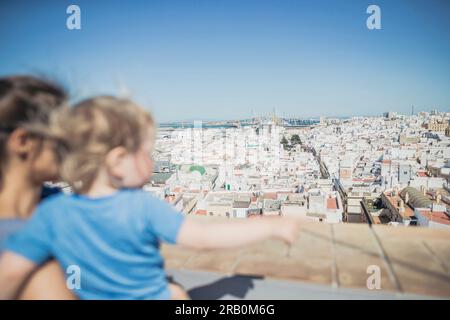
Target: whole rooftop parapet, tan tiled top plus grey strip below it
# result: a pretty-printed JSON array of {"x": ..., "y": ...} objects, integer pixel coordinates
[{"x": 327, "y": 261}]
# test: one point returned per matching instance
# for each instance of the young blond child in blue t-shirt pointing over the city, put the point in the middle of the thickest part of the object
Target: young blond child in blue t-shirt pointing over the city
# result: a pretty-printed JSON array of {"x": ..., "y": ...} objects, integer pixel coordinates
[{"x": 109, "y": 228}]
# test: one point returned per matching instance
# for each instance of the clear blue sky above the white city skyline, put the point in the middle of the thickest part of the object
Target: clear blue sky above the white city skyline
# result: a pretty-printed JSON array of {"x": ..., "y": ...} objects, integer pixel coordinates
[{"x": 221, "y": 59}]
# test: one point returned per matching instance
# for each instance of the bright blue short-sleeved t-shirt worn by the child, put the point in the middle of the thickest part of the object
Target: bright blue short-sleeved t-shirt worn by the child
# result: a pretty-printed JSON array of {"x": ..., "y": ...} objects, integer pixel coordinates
[{"x": 113, "y": 240}]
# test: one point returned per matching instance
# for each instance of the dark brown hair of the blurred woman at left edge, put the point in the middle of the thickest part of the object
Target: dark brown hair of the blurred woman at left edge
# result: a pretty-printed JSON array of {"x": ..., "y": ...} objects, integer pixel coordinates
[{"x": 25, "y": 100}]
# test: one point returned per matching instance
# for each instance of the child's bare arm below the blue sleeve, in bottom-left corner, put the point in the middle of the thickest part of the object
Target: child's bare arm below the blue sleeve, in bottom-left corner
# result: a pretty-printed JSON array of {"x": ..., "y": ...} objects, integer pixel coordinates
[{"x": 14, "y": 271}]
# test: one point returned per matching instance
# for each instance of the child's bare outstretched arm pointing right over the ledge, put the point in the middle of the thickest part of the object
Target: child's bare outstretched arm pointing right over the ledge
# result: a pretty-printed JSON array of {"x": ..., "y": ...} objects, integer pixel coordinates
[{"x": 235, "y": 233}]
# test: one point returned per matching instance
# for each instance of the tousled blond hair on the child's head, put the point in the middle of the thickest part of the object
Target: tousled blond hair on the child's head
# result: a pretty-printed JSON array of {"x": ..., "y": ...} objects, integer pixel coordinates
[{"x": 93, "y": 127}]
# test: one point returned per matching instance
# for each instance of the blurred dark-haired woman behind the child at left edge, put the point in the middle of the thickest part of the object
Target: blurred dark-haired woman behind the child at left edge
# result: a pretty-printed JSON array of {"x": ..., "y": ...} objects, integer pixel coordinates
[{"x": 26, "y": 162}]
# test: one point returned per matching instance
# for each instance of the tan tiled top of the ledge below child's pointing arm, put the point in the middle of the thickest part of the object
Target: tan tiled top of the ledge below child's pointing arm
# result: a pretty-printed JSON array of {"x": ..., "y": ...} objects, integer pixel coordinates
[{"x": 411, "y": 260}]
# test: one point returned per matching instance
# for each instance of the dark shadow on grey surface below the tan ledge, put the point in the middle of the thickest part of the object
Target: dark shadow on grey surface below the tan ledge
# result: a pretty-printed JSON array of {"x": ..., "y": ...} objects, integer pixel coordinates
[{"x": 237, "y": 286}]
